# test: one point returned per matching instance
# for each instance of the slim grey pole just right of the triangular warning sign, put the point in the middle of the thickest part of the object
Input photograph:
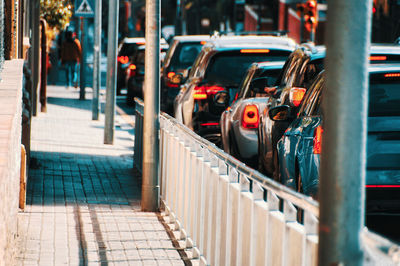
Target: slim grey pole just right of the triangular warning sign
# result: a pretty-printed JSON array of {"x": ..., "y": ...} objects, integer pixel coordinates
[{"x": 96, "y": 62}]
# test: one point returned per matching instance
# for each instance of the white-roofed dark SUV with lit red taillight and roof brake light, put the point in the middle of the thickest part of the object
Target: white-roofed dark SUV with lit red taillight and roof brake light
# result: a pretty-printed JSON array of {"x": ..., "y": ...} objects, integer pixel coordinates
[{"x": 217, "y": 72}]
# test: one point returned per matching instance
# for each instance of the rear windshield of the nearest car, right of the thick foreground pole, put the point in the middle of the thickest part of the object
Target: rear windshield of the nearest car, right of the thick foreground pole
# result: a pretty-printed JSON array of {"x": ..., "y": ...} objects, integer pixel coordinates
[{"x": 384, "y": 94}]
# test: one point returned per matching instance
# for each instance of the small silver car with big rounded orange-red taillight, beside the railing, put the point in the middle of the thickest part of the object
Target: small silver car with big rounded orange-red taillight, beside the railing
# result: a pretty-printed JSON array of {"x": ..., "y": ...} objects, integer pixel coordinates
[{"x": 239, "y": 122}]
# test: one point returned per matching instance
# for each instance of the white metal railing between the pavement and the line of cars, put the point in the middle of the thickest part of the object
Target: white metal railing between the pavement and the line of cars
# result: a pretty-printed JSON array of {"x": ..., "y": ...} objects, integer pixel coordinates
[{"x": 229, "y": 214}]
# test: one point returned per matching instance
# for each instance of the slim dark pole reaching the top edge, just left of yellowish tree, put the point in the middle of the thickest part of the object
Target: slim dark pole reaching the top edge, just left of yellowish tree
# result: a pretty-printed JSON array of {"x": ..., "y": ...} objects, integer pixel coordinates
[{"x": 35, "y": 36}]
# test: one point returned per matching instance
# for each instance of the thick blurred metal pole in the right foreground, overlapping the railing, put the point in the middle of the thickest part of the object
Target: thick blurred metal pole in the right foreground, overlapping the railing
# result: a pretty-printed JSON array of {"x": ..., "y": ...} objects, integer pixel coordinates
[{"x": 342, "y": 183}]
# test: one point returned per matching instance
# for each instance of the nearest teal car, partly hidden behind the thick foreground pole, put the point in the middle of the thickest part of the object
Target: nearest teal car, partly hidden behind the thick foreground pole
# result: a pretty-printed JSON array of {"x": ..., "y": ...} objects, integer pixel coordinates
[{"x": 300, "y": 147}]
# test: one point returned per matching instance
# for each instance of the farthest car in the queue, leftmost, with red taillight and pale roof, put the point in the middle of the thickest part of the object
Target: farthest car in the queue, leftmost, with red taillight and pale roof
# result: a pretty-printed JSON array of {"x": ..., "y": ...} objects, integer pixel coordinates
[{"x": 126, "y": 49}]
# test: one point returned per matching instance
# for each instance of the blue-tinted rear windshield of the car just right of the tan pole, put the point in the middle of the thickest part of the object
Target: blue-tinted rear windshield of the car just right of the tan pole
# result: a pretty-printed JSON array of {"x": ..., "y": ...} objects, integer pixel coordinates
[{"x": 185, "y": 55}]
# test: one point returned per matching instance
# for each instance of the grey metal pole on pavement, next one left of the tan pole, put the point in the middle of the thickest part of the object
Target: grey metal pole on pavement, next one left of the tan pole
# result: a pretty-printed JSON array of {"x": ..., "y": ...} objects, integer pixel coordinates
[{"x": 111, "y": 70}]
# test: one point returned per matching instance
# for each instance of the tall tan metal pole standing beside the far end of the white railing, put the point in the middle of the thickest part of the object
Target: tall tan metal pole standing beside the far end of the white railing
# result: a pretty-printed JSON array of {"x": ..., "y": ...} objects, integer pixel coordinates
[{"x": 151, "y": 124}]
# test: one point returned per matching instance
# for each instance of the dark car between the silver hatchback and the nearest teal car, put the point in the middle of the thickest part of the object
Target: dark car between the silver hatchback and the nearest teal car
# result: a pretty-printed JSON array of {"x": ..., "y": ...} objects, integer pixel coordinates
[{"x": 299, "y": 70}]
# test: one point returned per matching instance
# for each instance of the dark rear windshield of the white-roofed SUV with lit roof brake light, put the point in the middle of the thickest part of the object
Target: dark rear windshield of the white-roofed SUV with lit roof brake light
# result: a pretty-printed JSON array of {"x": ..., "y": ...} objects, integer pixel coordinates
[{"x": 228, "y": 68}]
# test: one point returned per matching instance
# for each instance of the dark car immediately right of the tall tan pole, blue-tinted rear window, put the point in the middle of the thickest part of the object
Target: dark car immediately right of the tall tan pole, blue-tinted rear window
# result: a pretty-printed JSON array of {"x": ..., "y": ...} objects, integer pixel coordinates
[{"x": 180, "y": 56}]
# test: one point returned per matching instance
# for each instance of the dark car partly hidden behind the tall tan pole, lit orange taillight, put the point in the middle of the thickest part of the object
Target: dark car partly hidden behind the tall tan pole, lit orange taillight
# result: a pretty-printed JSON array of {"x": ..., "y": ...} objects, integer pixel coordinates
[{"x": 135, "y": 73}]
